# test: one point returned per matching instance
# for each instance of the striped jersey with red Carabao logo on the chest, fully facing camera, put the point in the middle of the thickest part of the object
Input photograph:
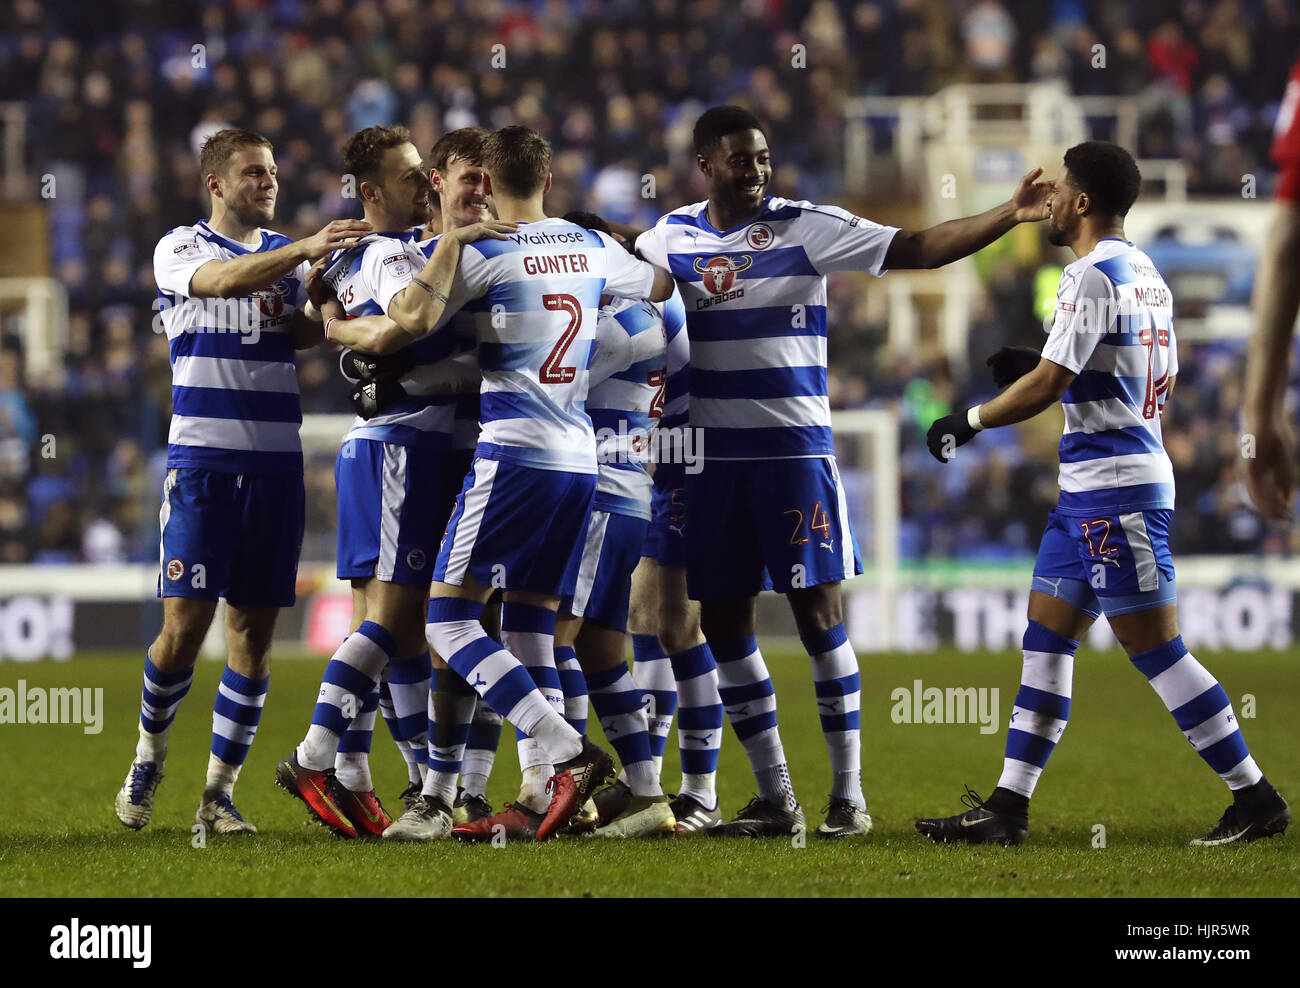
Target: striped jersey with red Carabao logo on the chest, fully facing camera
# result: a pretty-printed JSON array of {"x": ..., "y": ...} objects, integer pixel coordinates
[{"x": 756, "y": 313}]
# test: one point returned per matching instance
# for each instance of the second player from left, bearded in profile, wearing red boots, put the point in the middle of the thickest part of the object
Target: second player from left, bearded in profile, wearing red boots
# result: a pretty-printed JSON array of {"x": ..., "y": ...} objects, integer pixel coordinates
[{"x": 388, "y": 479}]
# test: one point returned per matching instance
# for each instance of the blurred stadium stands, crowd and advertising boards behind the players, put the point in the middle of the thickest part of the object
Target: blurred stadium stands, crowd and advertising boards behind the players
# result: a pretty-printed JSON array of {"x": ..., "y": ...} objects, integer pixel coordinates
[{"x": 904, "y": 111}]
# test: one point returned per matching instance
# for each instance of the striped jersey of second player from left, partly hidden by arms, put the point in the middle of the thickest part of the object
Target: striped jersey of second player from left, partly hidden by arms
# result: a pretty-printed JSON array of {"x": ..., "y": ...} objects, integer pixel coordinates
[{"x": 366, "y": 279}]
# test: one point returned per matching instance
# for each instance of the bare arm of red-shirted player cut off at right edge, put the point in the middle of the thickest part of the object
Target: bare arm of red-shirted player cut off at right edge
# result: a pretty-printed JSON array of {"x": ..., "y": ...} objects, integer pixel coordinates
[{"x": 1269, "y": 475}]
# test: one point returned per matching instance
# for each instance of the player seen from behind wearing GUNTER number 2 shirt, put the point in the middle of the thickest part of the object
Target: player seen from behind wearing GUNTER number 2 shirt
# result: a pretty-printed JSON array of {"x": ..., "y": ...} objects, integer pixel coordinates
[{"x": 525, "y": 508}]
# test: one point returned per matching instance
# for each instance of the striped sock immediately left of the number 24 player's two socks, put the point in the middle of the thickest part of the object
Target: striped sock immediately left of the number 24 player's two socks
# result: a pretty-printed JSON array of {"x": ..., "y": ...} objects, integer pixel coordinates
[{"x": 700, "y": 722}]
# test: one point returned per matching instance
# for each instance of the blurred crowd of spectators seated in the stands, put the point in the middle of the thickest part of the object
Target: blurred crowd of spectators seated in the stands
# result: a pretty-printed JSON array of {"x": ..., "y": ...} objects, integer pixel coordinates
[{"x": 116, "y": 118}]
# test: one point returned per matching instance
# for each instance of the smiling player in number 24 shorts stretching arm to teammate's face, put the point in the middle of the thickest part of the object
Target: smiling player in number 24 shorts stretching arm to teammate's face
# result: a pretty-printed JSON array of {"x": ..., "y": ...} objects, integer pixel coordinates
[{"x": 752, "y": 270}]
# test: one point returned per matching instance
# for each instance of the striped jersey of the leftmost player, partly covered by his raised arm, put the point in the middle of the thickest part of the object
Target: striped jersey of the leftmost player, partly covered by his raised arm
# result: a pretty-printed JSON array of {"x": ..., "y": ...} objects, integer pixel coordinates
[{"x": 235, "y": 382}]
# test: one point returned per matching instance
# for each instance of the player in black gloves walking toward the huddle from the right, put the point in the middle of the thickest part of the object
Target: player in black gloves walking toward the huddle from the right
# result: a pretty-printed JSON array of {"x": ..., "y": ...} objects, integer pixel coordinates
[{"x": 1111, "y": 361}]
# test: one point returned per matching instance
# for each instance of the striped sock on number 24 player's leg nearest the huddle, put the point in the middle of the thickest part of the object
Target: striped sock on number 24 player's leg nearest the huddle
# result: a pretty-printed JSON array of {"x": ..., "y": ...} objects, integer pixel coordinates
[{"x": 749, "y": 699}]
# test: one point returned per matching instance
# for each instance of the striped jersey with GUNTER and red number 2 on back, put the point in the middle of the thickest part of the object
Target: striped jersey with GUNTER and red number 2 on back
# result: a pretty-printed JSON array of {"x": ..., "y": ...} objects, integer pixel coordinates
[{"x": 535, "y": 300}]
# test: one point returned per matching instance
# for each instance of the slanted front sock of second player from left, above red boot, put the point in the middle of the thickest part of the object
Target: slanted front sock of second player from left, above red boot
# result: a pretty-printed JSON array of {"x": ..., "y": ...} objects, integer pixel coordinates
[{"x": 352, "y": 675}]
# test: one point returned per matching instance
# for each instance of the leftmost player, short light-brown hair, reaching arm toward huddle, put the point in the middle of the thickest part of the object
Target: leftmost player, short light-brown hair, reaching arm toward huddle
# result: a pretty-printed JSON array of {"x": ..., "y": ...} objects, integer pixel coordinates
[{"x": 231, "y": 294}]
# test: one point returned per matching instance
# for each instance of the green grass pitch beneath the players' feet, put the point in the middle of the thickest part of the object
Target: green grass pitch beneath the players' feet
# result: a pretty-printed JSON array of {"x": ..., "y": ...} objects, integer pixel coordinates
[{"x": 1123, "y": 766}]
